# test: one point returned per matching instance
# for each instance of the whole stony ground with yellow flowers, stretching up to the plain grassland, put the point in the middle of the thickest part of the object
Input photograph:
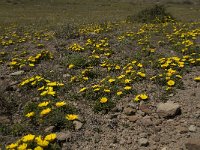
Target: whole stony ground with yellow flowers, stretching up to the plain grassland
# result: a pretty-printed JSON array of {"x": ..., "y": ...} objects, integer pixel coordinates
[{"x": 161, "y": 120}]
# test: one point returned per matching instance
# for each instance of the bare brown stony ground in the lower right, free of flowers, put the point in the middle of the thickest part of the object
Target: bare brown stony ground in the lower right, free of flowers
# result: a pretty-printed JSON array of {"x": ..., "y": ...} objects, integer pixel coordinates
[{"x": 131, "y": 126}]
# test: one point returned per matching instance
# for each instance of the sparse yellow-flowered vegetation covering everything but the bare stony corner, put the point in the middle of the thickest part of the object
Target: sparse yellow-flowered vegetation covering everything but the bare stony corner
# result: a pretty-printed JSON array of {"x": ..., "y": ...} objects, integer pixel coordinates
[{"x": 61, "y": 75}]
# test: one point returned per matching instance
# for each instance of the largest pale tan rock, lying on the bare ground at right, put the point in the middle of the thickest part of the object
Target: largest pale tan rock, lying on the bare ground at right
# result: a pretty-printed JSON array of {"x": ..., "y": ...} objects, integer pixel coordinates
[{"x": 168, "y": 109}]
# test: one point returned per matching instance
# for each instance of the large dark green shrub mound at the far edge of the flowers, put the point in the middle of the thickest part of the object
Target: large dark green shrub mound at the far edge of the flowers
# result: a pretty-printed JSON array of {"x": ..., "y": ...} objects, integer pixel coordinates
[{"x": 155, "y": 14}]
